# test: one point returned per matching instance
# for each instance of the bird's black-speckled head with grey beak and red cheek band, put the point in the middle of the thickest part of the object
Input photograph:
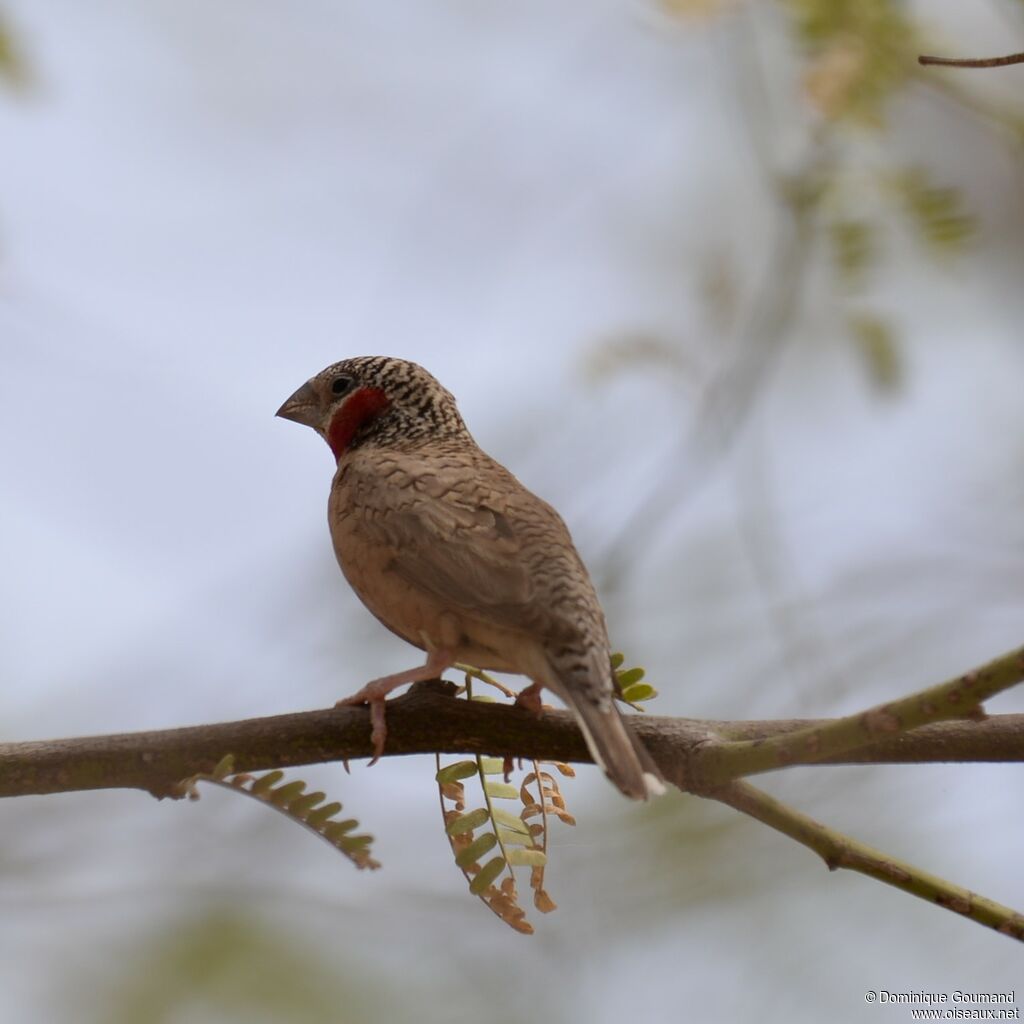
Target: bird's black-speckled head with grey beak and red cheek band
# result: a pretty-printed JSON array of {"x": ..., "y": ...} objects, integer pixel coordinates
[{"x": 374, "y": 400}]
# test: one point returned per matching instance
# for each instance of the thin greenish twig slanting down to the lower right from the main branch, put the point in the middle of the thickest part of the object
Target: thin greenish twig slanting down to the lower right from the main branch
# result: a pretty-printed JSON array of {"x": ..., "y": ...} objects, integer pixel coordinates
[{"x": 841, "y": 851}]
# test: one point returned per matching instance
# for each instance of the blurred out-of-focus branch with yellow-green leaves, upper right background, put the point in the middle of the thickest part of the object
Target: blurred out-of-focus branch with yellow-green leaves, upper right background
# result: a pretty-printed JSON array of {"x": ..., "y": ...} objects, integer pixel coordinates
[{"x": 839, "y": 198}]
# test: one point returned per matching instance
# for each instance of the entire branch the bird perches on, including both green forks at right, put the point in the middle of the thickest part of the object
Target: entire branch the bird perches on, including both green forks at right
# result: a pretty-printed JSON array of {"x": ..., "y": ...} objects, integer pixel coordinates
[{"x": 943, "y": 723}]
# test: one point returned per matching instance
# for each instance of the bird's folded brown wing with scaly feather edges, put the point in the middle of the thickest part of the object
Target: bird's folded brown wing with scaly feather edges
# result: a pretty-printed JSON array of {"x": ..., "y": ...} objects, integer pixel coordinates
[{"x": 471, "y": 536}]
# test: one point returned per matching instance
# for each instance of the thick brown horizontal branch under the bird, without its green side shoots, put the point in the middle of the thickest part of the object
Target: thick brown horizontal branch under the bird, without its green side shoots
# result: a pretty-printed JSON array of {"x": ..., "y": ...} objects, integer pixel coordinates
[{"x": 430, "y": 720}]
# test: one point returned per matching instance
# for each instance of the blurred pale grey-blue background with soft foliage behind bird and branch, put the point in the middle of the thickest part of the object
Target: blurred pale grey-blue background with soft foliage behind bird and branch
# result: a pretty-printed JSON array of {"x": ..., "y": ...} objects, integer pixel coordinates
[{"x": 737, "y": 285}]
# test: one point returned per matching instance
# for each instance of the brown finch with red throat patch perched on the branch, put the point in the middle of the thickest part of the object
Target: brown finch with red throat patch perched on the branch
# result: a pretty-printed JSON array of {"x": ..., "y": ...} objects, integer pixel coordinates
[{"x": 453, "y": 554}]
